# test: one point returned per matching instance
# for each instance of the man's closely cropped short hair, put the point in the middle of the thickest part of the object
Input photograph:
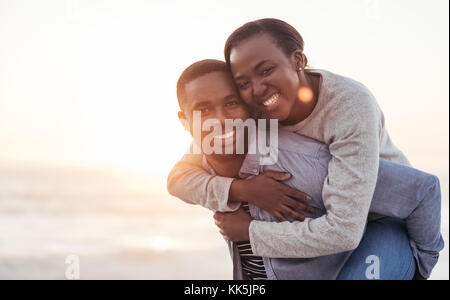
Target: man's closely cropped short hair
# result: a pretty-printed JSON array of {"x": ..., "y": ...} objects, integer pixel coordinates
[{"x": 195, "y": 71}]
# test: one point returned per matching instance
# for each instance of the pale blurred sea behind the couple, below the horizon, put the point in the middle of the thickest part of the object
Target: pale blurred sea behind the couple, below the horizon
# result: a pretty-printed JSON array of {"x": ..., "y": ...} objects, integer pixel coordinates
[{"x": 116, "y": 224}]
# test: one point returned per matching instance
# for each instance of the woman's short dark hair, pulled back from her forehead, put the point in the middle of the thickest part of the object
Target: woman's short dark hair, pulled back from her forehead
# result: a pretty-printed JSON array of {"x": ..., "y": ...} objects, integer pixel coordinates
[{"x": 284, "y": 35}]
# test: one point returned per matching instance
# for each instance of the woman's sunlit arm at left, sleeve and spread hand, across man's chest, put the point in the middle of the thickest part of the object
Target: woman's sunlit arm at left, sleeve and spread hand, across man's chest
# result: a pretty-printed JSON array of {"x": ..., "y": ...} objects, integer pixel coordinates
[{"x": 192, "y": 184}]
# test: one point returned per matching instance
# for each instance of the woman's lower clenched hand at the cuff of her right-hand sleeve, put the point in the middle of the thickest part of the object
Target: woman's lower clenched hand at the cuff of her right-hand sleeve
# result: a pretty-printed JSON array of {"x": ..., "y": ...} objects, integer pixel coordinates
[{"x": 234, "y": 226}]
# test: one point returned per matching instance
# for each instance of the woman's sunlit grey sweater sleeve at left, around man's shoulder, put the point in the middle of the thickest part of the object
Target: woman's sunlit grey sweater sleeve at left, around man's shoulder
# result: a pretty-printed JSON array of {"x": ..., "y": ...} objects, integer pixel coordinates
[{"x": 189, "y": 182}]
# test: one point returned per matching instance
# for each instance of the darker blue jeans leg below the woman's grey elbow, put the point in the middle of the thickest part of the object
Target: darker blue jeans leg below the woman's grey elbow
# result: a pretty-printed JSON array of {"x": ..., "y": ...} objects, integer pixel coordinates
[{"x": 384, "y": 253}]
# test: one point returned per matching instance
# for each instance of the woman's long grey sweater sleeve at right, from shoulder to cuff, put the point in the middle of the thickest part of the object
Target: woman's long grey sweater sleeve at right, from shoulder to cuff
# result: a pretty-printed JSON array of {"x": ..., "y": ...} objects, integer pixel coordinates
[{"x": 353, "y": 139}]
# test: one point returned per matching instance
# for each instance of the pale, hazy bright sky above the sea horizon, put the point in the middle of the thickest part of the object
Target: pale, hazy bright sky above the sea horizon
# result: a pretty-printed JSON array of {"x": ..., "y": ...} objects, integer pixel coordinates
[{"x": 93, "y": 82}]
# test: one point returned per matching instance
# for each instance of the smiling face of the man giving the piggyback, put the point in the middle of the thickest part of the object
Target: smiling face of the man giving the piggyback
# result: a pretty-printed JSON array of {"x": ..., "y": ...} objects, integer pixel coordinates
[{"x": 212, "y": 99}]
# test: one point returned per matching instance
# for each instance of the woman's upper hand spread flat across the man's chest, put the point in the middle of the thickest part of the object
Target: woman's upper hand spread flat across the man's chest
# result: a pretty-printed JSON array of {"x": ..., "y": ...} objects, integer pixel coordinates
[{"x": 268, "y": 193}]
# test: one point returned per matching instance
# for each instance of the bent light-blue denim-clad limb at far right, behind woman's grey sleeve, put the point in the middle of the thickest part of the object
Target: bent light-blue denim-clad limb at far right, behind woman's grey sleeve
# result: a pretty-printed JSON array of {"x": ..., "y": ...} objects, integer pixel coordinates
[{"x": 414, "y": 196}]
